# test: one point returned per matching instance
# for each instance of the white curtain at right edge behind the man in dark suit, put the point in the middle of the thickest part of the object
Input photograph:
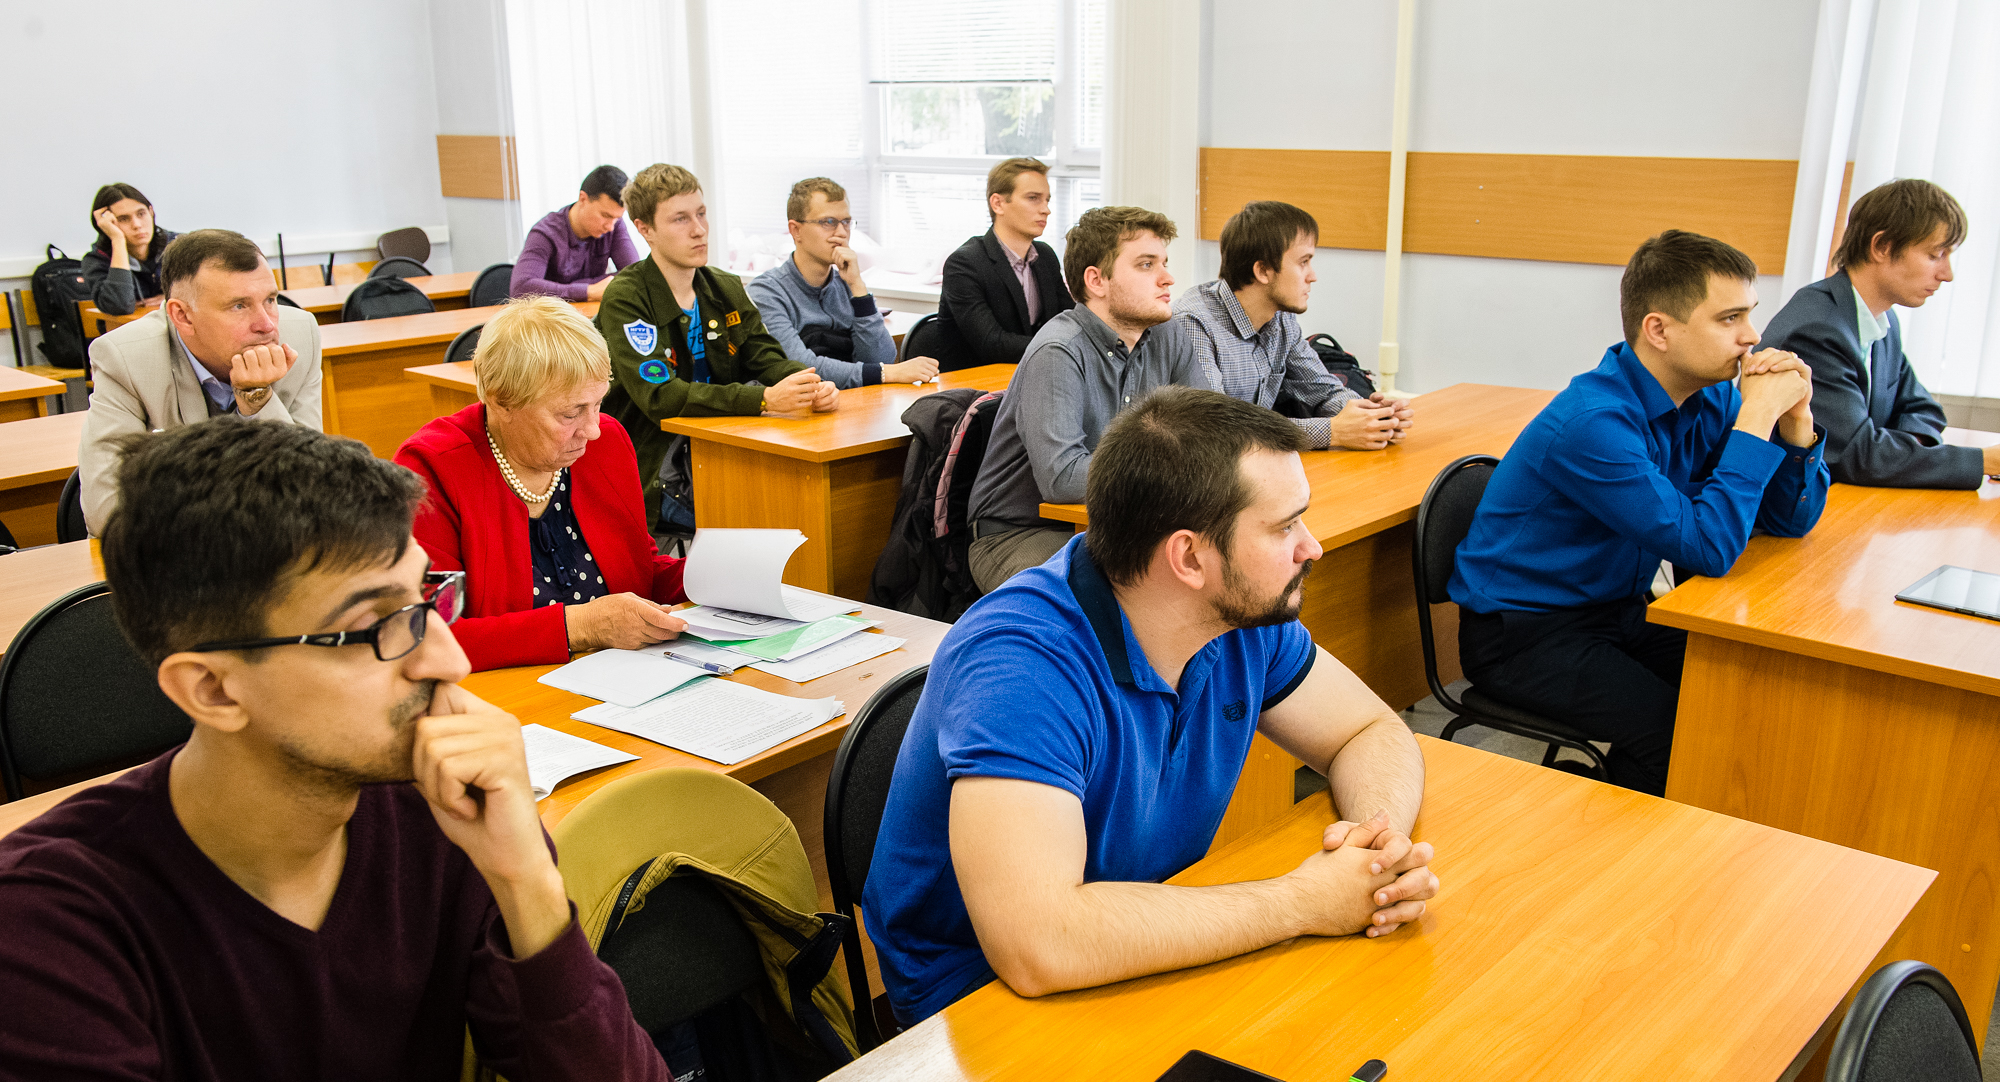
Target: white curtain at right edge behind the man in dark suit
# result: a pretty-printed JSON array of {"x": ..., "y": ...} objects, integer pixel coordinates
[{"x": 1913, "y": 89}]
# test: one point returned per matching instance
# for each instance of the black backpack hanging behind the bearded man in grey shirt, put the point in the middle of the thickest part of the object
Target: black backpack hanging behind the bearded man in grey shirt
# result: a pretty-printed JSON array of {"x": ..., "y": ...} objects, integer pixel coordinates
[{"x": 925, "y": 567}]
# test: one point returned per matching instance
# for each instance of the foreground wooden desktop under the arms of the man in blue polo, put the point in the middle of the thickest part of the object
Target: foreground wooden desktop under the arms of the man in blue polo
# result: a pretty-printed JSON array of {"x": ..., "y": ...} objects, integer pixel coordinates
[{"x": 1609, "y": 949}]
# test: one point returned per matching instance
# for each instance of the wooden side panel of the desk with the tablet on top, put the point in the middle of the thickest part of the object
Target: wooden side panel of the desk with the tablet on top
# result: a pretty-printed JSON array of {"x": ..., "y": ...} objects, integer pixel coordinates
[{"x": 1861, "y": 759}]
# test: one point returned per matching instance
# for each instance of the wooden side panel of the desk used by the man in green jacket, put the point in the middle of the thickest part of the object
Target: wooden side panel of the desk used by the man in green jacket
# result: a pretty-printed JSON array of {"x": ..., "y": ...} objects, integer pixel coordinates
[{"x": 755, "y": 491}]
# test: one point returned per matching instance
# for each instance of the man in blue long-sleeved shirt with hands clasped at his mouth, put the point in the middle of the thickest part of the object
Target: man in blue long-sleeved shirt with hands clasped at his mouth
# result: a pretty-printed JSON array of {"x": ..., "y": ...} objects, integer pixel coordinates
[{"x": 1651, "y": 457}]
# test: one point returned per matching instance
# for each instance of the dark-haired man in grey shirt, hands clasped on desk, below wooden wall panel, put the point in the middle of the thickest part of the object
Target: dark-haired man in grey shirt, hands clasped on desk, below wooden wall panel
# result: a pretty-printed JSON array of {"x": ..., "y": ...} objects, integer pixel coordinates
[{"x": 1245, "y": 331}]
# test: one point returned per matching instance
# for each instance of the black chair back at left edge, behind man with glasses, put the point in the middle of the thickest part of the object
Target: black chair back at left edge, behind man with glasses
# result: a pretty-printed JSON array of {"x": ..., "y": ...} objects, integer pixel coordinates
[{"x": 75, "y": 697}]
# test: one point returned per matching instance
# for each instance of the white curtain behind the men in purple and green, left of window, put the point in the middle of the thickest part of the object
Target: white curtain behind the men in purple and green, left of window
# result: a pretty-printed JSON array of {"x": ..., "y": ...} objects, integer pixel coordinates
[{"x": 595, "y": 83}]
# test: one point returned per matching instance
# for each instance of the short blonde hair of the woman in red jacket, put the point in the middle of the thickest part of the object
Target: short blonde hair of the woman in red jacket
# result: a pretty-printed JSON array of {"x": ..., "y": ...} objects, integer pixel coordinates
[{"x": 535, "y": 349}]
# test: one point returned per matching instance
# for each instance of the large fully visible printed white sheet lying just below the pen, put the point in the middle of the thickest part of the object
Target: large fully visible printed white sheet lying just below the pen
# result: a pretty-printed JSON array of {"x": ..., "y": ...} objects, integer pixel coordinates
[{"x": 719, "y": 721}]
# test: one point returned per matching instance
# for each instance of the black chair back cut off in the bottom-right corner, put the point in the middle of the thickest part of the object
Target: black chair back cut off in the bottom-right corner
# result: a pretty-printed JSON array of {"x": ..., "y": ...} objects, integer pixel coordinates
[{"x": 1905, "y": 1023}]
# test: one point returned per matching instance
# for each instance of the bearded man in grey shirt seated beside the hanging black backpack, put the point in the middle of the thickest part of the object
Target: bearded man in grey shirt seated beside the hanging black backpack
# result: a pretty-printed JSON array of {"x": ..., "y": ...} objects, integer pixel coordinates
[{"x": 1079, "y": 373}]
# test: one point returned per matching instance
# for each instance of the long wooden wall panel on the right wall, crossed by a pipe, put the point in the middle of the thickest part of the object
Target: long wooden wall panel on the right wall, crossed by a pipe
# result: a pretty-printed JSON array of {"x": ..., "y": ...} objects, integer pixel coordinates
[{"x": 1515, "y": 207}]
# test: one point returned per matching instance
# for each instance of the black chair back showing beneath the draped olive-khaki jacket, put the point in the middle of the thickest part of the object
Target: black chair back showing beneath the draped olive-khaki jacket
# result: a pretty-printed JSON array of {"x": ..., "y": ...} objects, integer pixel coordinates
[{"x": 681, "y": 955}]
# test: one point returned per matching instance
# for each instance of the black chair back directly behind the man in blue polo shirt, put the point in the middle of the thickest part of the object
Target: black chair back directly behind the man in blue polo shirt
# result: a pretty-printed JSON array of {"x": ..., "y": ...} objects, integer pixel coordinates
[{"x": 855, "y": 799}]
